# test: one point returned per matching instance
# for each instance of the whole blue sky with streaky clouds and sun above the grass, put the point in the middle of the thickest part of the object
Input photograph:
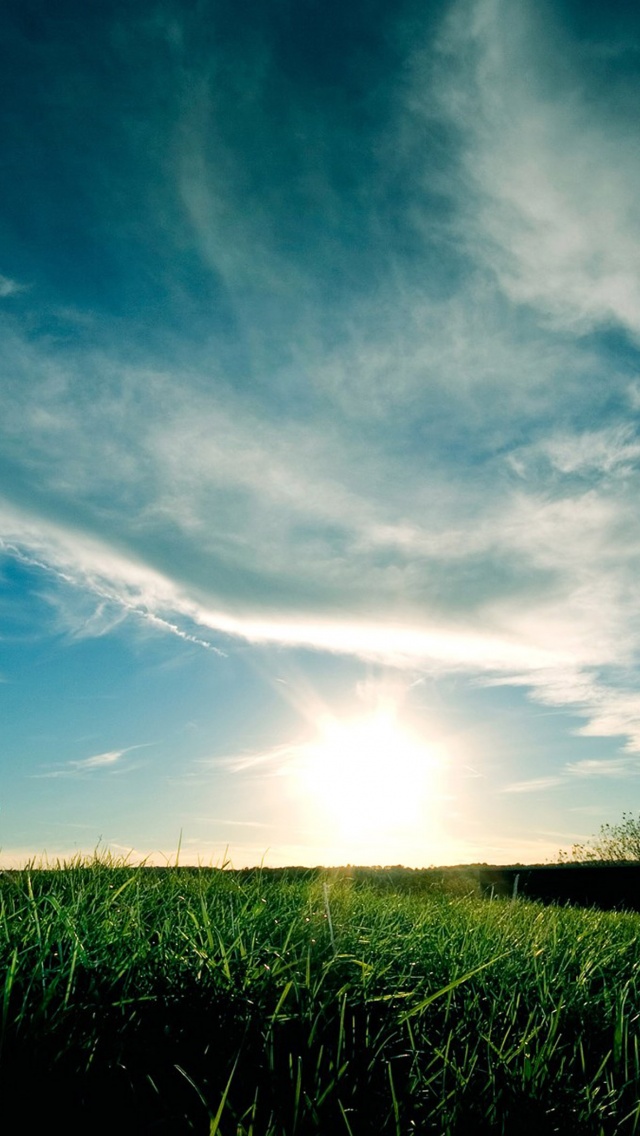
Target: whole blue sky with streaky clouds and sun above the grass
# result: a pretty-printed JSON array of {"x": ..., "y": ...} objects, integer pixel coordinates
[{"x": 320, "y": 448}]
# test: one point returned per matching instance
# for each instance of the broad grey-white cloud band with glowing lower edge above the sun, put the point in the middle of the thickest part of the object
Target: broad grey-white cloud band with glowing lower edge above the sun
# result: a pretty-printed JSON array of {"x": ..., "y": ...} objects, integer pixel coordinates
[{"x": 327, "y": 557}]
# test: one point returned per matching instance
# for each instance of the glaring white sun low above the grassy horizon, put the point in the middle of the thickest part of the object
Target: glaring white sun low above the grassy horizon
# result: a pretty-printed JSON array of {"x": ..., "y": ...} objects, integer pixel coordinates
[{"x": 369, "y": 776}]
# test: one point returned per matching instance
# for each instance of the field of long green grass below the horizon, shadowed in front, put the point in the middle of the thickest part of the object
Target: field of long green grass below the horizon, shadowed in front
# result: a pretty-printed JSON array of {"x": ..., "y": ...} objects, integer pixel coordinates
[{"x": 279, "y": 1004}]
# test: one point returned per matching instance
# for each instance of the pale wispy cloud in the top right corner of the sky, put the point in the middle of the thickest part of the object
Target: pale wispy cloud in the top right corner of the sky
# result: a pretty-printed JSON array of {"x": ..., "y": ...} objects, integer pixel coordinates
[{"x": 550, "y": 163}]
